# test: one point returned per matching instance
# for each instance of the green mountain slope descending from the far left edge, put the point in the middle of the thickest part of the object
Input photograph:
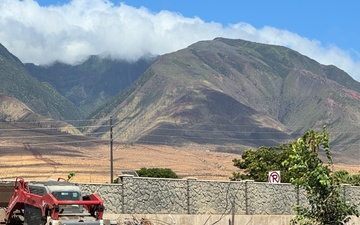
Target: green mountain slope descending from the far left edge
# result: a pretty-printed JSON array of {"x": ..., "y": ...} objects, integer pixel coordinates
[{"x": 42, "y": 98}]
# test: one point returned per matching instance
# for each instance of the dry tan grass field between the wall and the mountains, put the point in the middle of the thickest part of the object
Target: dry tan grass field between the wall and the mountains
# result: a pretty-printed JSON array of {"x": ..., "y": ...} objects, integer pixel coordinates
[{"x": 91, "y": 162}]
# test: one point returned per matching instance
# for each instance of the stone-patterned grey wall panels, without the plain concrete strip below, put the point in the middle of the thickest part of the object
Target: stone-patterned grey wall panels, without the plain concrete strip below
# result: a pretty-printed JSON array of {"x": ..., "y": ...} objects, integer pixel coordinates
[{"x": 135, "y": 195}]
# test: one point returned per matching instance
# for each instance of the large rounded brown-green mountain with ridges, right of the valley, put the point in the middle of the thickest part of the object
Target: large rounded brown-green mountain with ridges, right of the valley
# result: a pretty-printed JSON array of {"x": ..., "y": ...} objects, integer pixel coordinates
[{"x": 235, "y": 94}]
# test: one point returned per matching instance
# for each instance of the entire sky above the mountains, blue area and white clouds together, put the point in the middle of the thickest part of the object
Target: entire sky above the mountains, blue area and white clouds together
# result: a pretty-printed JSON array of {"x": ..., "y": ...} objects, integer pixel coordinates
[{"x": 327, "y": 31}]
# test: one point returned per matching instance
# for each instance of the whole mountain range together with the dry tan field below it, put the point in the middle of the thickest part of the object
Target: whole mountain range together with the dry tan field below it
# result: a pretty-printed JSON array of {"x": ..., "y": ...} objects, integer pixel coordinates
[{"x": 193, "y": 110}]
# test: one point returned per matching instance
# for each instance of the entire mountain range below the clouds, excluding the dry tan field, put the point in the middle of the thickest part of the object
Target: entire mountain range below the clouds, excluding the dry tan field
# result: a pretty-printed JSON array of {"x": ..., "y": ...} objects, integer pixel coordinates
[{"x": 222, "y": 94}]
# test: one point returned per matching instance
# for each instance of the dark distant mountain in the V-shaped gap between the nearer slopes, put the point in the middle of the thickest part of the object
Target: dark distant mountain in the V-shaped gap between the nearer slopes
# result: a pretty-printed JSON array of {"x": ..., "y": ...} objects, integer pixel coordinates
[{"x": 92, "y": 83}]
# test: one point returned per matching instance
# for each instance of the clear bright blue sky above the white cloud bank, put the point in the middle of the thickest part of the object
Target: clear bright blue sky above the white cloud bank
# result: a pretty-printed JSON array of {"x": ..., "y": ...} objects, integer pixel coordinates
[{"x": 331, "y": 22}]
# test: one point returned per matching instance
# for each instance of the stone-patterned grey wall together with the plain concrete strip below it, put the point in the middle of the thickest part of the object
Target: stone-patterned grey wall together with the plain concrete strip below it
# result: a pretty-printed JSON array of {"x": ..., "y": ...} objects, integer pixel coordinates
[{"x": 192, "y": 202}]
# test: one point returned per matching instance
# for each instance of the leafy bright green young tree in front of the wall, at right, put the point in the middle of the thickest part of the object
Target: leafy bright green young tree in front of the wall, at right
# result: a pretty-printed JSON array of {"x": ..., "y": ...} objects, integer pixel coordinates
[{"x": 327, "y": 205}]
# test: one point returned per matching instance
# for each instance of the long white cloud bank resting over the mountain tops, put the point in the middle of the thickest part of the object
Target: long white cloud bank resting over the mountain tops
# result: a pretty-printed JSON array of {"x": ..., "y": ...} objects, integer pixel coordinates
[{"x": 71, "y": 32}]
